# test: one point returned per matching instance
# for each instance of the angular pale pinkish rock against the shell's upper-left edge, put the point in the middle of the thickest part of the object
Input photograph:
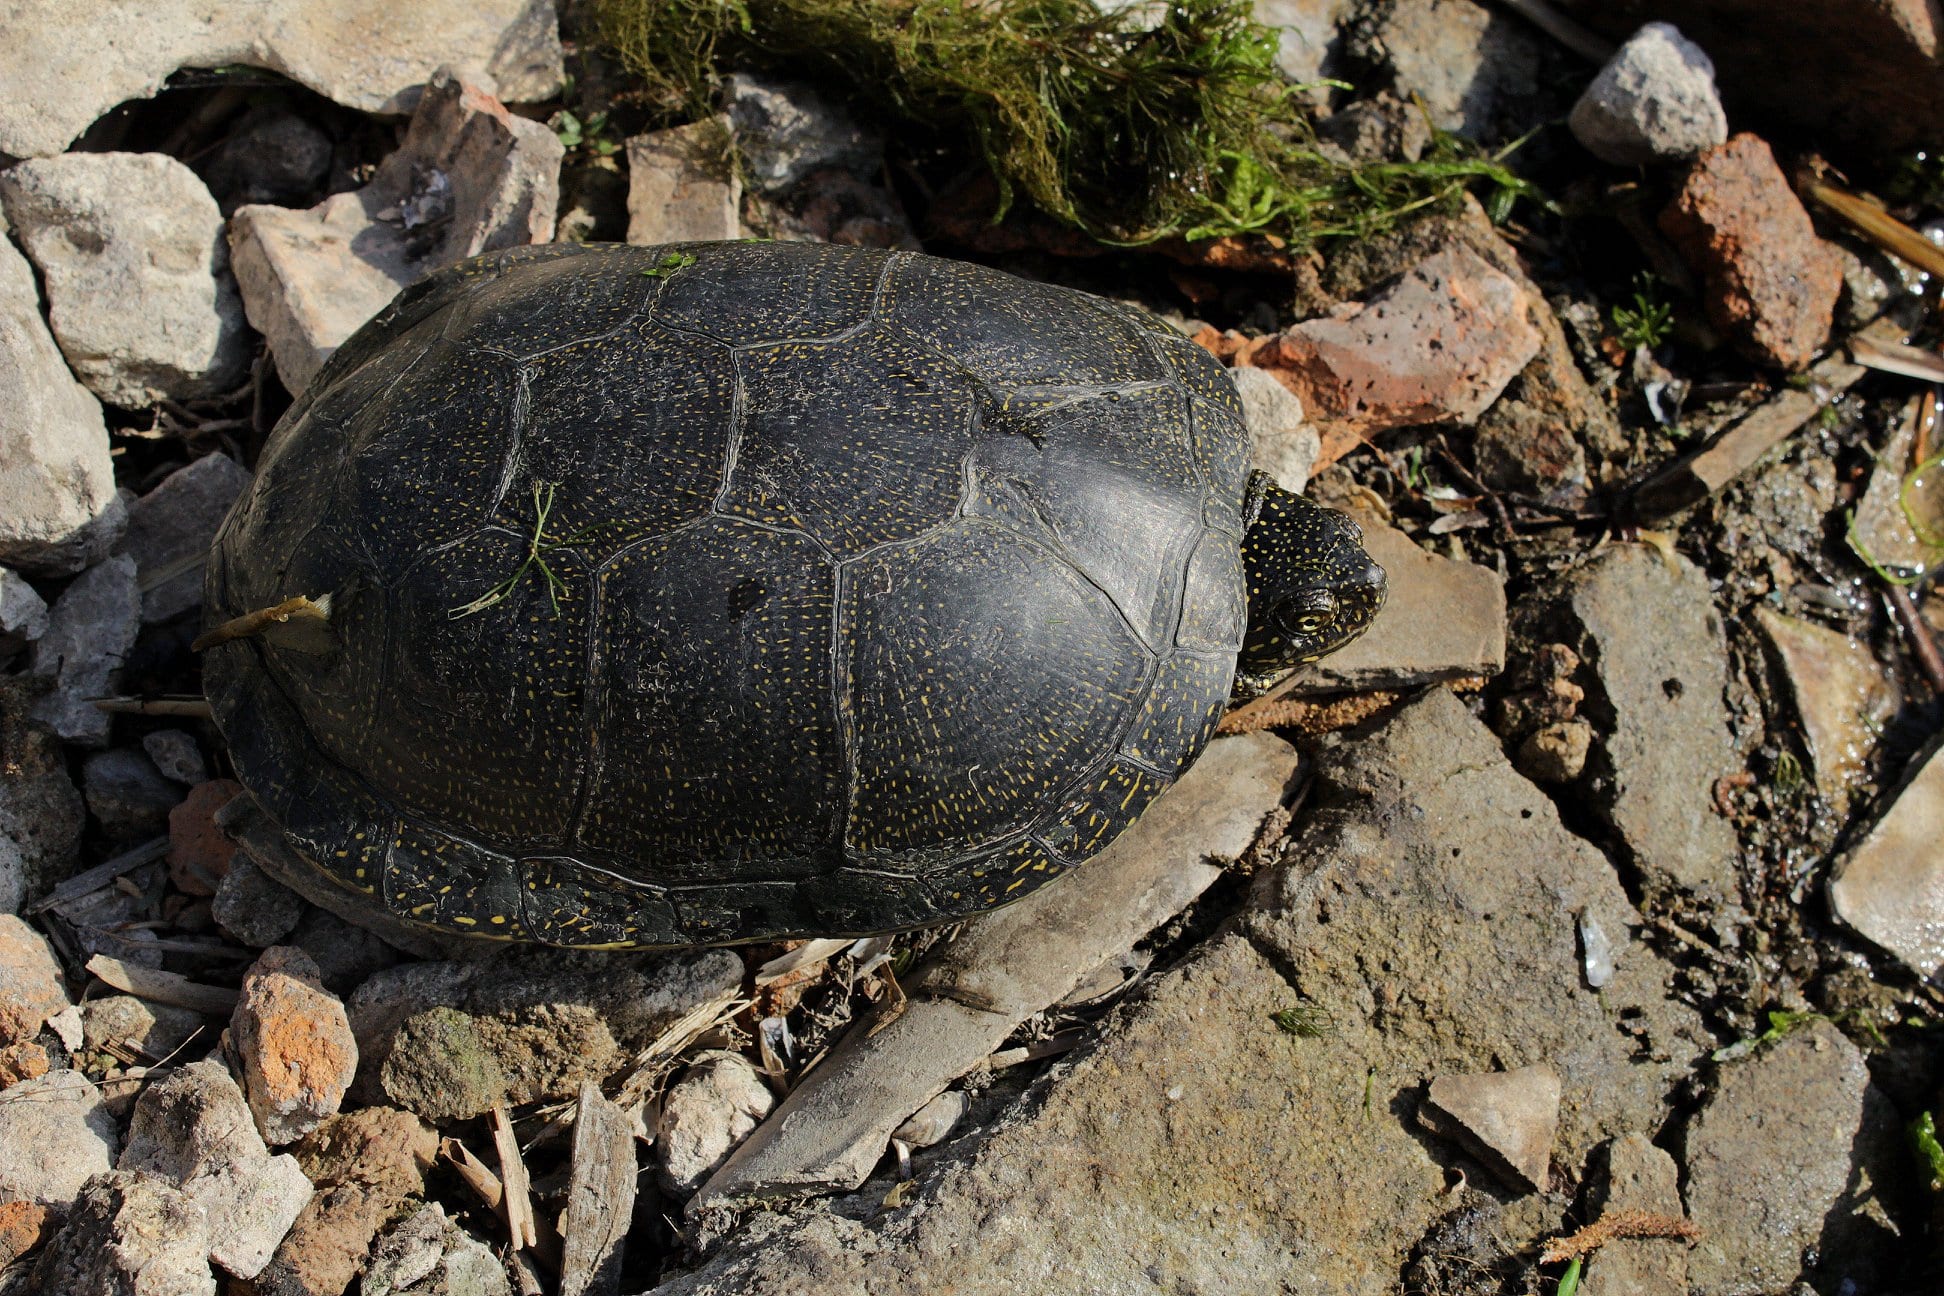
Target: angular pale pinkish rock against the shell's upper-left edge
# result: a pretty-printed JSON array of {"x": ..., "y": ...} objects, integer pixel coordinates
[{"x": 468, "y": 180}]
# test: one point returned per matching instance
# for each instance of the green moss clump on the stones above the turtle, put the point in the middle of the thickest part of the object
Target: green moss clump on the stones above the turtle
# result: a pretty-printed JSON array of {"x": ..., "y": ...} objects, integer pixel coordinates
[{"x": 1132, "y": 127}]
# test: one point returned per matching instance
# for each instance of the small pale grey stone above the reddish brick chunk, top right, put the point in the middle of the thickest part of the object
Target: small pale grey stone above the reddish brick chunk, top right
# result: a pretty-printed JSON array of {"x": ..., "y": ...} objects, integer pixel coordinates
[{"x": 1653, "y": 102}]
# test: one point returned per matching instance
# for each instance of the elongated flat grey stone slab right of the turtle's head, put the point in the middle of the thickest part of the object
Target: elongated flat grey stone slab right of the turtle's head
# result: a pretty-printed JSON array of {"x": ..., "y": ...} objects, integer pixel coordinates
[{"x": 1655, "y": 640}]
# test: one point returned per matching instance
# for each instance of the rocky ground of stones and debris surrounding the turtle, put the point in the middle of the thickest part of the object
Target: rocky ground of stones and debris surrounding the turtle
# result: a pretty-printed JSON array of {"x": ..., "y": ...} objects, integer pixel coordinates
[{"x": 1579, "y": 926}]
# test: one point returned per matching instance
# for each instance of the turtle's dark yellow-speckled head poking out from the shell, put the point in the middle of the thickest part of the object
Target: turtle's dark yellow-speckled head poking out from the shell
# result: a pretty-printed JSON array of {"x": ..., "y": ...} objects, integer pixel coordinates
[{"x": 1311, "y": 584}]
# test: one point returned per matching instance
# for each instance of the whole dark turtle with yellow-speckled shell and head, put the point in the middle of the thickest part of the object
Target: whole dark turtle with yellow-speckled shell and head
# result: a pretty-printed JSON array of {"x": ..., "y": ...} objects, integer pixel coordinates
[{"x": 606, "y": 596}]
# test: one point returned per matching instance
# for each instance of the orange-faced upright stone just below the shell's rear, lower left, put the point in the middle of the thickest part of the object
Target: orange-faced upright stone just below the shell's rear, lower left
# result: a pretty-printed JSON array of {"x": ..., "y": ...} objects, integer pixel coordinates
[{"x": 295, "y": 1046}]
